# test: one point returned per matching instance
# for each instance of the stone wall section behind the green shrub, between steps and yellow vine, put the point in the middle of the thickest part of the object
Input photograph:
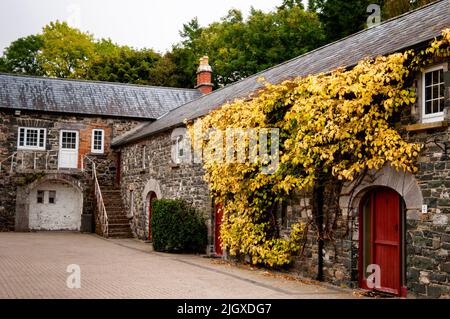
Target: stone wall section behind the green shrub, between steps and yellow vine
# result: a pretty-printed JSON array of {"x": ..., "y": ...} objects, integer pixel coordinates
[{"x": 147, "y": 167}]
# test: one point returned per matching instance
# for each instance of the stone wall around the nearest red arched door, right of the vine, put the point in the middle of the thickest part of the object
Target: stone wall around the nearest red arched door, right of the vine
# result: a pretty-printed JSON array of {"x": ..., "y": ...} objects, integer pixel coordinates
[{"x": 427, "y": 235}]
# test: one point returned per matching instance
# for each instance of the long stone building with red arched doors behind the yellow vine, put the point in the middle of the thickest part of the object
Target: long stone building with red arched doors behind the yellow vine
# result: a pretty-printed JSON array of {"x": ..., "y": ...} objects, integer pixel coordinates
[{"x": 410, "y": 212}]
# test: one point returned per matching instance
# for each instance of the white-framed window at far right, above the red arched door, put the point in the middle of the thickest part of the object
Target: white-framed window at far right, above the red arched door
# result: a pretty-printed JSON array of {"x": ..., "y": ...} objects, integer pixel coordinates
[{"x": 434, "y": 95}]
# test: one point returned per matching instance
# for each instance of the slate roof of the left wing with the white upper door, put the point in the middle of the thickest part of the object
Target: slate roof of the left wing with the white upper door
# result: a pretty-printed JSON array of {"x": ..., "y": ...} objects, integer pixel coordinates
[{"x": 88, "y": 97}]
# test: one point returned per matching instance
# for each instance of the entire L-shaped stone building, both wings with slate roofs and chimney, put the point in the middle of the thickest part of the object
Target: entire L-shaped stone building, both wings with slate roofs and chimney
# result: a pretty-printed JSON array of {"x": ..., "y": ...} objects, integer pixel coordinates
[{"x": 75, "y": 155}]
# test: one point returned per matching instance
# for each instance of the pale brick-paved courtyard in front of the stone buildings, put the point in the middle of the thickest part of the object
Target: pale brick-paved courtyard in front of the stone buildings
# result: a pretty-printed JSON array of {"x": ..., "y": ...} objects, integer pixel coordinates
[{"x": 34, "y": 265}]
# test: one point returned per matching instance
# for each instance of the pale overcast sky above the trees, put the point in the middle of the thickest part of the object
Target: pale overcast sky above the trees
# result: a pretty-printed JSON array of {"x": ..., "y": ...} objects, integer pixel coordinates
[{"x": 138, "y": 23}]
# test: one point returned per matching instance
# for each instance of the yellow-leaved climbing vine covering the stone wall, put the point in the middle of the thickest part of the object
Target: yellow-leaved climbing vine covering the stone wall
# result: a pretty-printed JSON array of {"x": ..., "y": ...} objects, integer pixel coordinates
[{"x": 332, "y": 127}]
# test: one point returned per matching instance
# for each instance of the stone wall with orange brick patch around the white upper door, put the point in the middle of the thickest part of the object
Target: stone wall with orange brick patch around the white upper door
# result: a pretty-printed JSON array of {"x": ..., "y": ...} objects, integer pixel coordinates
[{"x": 28, "y": 164}]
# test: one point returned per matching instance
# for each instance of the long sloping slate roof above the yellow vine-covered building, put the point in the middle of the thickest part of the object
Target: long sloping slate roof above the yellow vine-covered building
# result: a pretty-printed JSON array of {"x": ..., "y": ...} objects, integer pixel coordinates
[{"x": 405, "y": 31}]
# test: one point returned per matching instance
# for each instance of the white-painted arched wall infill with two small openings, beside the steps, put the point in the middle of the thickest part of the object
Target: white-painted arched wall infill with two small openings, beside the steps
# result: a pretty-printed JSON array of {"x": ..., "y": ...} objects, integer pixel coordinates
[{"x": 65, "y": 214}]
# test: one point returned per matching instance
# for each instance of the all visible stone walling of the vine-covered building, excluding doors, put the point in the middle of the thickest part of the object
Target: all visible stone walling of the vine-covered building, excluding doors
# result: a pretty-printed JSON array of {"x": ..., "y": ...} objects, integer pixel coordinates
[{"x": 147, "y": 166}]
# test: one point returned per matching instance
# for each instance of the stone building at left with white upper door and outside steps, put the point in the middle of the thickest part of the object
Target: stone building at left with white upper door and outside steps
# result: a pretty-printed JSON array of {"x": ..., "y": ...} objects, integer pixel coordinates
[{"x": 52, "y": 133}]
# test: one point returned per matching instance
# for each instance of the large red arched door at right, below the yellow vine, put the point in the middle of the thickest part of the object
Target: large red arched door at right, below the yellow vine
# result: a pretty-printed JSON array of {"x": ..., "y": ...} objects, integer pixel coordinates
[{"x": 381, "y": 241}]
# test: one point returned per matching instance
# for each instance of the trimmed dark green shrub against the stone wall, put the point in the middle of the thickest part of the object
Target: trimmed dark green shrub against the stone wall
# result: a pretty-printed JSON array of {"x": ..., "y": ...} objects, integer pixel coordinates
[{"x": 177, "y": 227}]
